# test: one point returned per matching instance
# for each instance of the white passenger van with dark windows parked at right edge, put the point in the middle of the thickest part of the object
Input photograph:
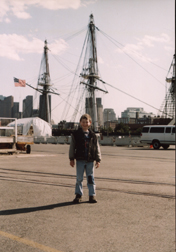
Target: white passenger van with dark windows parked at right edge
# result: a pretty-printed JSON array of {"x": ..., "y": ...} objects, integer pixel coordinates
[{"x": 158, "y": 135}]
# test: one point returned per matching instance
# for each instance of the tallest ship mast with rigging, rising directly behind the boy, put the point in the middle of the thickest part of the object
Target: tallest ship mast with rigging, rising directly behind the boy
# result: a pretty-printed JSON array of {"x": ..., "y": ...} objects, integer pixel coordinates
[{"x": 89, "y": 75}]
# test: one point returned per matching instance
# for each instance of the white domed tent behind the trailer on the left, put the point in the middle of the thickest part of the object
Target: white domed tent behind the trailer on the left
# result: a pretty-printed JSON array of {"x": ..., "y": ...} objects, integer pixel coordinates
[{"x": 40, "y": 127}]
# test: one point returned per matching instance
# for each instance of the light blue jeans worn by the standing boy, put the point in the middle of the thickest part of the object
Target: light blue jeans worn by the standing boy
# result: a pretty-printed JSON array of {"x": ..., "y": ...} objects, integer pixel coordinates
[{"x": 82, "y": 165}]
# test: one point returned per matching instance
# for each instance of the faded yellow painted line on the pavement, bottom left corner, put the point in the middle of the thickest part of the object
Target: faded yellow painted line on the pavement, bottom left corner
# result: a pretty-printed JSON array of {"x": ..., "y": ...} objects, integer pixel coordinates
[{"x": 28, "y": 242}]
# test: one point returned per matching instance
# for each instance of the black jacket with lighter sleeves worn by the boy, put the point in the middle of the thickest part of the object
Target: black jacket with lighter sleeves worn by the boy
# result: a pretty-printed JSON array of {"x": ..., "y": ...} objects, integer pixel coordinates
[{"x": 77, "y": 147}]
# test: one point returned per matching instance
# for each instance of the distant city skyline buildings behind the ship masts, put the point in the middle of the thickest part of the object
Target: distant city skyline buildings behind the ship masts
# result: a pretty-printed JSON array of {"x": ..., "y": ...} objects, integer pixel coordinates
[{"x": 10, "y": 108}]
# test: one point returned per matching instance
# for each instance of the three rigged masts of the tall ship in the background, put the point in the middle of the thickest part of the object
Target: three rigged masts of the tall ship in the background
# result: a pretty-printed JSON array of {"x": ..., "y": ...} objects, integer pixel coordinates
[{"x": 89, "y": 85}]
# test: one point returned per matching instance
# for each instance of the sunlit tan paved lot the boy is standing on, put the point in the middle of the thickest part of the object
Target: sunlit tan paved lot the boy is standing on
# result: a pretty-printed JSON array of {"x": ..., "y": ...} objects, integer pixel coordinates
[{"x": 135, "y": 210}]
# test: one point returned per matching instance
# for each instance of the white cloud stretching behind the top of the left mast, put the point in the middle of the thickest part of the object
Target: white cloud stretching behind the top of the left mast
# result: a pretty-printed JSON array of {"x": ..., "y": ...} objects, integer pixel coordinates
[{"x": 12, "y": 46}]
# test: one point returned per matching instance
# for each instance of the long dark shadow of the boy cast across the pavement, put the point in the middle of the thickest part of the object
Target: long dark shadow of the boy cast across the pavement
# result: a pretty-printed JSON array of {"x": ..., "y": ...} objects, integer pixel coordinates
[{"x": 39, "y": 208}]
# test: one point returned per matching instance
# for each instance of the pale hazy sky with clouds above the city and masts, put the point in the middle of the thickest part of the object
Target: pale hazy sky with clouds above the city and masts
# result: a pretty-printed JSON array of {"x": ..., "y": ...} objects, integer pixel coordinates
[{"x": 137, "y": 62}]
